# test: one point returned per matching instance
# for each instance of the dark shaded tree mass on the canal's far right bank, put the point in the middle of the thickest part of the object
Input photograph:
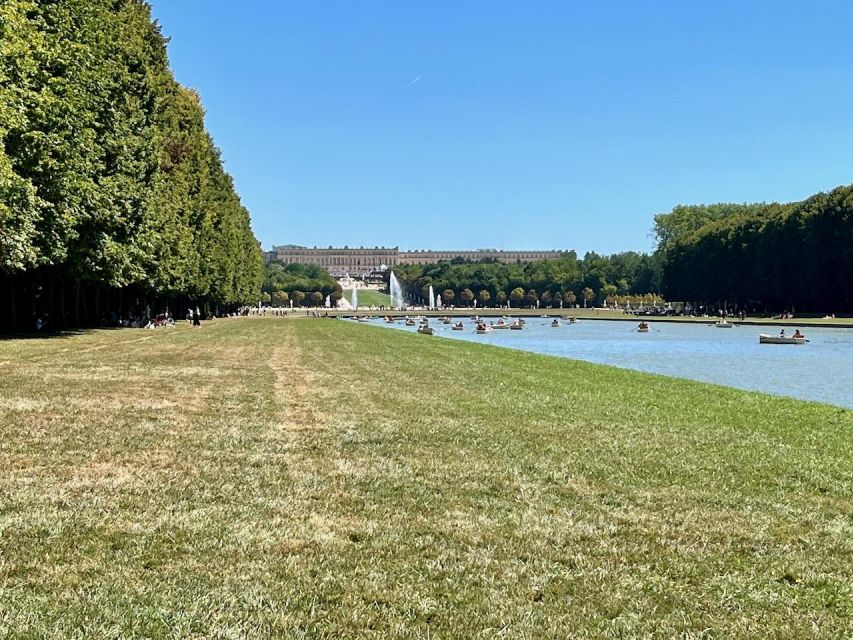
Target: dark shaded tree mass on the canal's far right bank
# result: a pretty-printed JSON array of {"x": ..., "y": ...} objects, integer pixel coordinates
[{"x": 769, "y": 257}]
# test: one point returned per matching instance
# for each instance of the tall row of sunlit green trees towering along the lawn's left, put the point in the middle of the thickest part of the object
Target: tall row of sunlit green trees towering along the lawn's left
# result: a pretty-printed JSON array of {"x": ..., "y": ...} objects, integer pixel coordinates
[{"x": 112, "y": 193}]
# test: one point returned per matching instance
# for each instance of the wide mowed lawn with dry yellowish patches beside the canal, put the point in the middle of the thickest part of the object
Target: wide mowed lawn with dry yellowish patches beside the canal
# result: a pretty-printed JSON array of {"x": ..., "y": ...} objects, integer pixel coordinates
[{"x": 317, "y": 478}]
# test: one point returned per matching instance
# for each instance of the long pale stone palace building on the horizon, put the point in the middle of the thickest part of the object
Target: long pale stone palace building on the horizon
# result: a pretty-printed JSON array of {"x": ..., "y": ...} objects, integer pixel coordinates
[{"x": 363, "y": 260}]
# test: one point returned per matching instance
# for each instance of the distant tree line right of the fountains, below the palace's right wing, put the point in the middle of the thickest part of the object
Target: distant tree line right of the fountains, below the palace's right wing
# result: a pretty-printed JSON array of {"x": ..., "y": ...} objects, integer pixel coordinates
[{"x": 595, "y": 279}]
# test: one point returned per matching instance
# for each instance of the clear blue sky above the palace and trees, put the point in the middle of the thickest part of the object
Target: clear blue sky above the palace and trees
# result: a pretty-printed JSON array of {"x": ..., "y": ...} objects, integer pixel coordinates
[{"x": 546, "y": 124}]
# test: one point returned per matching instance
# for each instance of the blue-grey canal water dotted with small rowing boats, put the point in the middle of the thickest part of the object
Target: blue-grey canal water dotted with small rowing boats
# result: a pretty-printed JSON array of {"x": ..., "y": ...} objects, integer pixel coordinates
[{"x": 820, "y": 370}]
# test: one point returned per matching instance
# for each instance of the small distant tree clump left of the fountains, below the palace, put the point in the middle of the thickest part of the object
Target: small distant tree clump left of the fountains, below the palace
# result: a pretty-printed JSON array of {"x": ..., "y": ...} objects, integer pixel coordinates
[{"x": 304, "y": 284}]
